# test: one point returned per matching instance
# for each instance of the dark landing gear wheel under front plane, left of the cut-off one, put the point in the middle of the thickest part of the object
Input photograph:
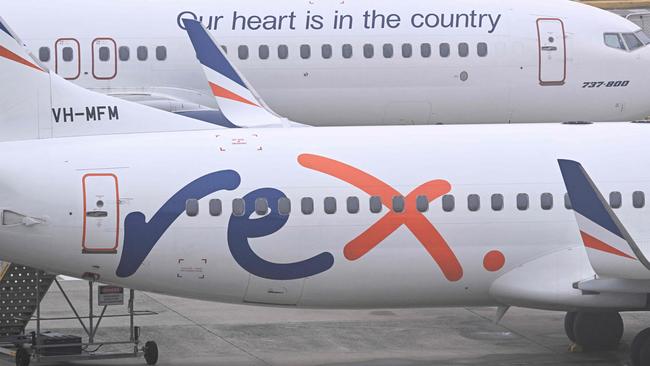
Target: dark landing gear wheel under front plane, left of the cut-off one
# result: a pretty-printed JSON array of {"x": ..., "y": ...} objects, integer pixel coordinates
[{"x": 598, "y": 331}]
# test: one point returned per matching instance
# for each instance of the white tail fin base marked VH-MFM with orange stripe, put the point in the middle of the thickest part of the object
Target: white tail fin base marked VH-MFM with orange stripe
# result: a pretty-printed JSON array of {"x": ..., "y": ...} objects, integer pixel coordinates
[{"x": 36, "y": 103}]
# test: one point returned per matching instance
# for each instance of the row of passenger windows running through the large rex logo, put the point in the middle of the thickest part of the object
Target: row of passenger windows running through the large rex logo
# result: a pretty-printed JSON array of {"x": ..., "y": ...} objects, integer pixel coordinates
[{"x": 330, "y": 205}]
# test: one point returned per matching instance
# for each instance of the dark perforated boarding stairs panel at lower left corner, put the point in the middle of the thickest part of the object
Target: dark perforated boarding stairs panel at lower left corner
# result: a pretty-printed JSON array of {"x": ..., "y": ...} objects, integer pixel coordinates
[{"x": 21, "y": 290}]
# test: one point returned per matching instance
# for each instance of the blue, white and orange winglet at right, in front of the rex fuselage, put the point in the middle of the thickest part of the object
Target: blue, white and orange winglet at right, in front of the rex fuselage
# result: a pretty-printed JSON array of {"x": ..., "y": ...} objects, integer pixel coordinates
[{"x": 611, "y": 250}]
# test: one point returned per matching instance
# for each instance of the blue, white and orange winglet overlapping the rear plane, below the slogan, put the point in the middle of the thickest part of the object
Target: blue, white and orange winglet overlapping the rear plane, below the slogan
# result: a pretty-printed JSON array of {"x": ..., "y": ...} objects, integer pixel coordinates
[{"x": 237, "y": 99}]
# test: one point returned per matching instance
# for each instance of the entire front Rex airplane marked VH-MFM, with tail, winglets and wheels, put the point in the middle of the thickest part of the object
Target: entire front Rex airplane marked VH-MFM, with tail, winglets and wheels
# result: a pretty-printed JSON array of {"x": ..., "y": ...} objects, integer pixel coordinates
[{"x": 356, "y": 217}]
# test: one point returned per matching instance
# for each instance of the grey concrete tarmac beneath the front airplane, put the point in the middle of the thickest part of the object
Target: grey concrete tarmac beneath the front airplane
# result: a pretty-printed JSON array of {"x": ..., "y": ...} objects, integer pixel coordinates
[{"x": 192, "y": 332}]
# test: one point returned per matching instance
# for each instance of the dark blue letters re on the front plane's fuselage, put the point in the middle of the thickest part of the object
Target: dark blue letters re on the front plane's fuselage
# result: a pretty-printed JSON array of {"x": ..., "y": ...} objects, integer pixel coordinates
[{"x": 140, "y": 236}]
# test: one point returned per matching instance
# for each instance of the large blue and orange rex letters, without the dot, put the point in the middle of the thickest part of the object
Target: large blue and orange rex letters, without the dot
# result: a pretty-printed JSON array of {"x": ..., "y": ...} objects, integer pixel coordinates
[{"x": 141, "y": 236}]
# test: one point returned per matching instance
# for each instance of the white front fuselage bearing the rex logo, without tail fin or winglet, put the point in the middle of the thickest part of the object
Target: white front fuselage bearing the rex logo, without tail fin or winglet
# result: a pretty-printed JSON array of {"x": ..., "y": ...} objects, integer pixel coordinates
[{"x": 97, "y": 204}]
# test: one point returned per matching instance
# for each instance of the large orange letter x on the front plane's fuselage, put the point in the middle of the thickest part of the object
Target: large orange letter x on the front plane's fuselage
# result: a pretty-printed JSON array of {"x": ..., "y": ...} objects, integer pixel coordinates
[{"x": 414, "y": 220}]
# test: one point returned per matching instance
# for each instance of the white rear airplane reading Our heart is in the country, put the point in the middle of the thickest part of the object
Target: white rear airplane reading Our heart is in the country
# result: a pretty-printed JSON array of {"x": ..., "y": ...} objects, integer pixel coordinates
[{"x": 363, "y": 62}]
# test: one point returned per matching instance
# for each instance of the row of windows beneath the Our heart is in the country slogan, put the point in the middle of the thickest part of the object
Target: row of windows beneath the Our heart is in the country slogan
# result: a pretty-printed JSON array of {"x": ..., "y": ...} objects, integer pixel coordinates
[{"x": 387, "y": 50}]
